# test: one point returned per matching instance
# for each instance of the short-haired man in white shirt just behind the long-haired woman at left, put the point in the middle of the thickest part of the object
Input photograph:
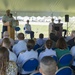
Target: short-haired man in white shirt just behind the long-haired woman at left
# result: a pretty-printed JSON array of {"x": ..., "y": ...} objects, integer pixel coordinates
[{"x": 7, "y": 44}]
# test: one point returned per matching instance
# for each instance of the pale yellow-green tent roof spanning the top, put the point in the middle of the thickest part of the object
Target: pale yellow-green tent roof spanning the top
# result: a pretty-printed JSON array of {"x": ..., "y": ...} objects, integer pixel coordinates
[{"x": 39, "y": 7}]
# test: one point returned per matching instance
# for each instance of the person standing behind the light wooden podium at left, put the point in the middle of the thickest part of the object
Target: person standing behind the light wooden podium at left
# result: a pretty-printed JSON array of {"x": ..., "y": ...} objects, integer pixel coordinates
[{"x": 5, "y": 20}]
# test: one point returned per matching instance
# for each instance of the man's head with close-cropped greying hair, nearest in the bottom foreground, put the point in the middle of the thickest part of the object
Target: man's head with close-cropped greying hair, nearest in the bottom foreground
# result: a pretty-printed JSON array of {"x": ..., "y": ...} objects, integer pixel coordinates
[{"x": 48, "y": 66}]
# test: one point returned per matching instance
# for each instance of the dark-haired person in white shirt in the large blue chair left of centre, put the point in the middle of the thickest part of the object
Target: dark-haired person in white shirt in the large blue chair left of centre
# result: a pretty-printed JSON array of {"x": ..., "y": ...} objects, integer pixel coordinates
[{"x": 24, "y": 56}]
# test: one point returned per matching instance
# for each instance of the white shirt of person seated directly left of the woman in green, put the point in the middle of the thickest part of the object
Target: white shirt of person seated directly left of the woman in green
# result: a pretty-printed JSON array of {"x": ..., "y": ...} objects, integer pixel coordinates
[{"x": 47, "y": 52}]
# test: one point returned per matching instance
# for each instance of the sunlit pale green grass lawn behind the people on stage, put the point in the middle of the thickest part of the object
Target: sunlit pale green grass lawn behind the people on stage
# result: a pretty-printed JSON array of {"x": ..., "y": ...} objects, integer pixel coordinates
[{"x": 39, "y": 29}]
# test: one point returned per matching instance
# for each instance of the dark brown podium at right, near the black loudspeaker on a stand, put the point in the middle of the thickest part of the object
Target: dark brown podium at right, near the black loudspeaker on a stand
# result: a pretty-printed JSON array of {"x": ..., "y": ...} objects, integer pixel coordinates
[{"x": 57, "y": 29}]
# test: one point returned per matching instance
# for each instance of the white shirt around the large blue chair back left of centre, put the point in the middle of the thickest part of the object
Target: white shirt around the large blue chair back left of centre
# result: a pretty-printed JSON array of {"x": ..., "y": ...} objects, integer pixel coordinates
[{"x": 24, "y": 57}]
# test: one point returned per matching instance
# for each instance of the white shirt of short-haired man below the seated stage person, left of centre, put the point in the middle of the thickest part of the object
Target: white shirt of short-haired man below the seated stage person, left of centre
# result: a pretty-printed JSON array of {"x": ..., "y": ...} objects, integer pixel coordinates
[{"x": 20, "y": 46}]
